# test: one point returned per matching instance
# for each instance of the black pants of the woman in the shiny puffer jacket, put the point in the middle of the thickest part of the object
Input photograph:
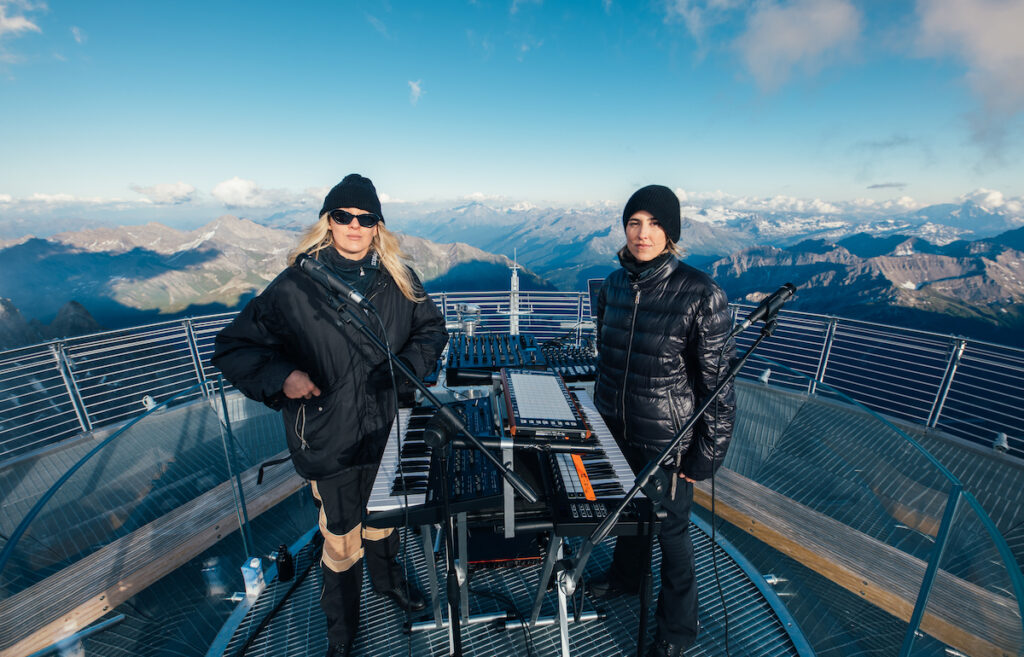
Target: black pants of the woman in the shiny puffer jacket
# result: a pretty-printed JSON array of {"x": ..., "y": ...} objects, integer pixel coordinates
[{"x": 677, "y": 604}]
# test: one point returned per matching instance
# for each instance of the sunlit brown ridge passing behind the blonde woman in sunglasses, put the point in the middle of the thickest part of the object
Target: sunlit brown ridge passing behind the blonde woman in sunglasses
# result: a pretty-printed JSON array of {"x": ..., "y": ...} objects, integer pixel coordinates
[{"x": 118, "y": 278}]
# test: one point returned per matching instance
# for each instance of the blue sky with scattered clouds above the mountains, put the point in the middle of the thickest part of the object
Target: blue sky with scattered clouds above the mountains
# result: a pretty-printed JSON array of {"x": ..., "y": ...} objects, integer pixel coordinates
[{"x": 186, "y": 109}]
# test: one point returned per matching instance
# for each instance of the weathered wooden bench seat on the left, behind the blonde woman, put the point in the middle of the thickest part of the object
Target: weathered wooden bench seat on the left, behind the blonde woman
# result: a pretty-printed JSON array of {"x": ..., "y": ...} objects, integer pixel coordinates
[{"x": 81, "y": 594}]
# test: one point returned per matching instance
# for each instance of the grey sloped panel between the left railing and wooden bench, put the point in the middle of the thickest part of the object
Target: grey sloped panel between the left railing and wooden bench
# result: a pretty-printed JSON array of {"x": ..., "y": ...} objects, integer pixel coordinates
[{"x": 163, "y": 459}]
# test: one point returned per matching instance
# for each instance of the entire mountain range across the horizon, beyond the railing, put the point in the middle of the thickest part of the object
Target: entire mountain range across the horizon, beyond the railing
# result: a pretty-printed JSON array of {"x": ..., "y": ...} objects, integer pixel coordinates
[{"x": 954, "y": 268}]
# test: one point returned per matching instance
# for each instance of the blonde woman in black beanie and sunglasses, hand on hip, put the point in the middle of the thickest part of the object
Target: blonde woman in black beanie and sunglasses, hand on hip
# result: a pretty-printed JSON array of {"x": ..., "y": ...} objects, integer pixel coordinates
[{"x": 288, "y": 351}]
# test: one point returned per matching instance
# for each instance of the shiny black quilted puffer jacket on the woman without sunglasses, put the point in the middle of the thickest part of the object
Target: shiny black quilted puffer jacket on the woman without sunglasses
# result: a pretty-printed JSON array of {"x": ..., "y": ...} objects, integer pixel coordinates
[{"x": 661, "y": 338}]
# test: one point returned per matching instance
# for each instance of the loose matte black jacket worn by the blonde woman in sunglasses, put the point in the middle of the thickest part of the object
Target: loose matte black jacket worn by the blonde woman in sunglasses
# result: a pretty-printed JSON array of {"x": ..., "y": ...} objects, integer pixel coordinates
[{"x": 291, "y": 327}]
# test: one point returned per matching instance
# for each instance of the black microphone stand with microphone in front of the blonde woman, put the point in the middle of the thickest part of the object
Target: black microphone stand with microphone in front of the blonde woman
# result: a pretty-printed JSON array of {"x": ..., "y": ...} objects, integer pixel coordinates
[{"x": 442, "y": 439}]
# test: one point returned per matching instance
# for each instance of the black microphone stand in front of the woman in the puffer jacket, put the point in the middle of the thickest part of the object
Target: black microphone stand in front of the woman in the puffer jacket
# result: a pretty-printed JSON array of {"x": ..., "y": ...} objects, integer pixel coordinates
[{"x": 653, "y": 483}]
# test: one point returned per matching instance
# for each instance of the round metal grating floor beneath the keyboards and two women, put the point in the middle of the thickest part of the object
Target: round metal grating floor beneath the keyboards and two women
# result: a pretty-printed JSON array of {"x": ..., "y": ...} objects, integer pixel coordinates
[{"x": 298, "y": 628}]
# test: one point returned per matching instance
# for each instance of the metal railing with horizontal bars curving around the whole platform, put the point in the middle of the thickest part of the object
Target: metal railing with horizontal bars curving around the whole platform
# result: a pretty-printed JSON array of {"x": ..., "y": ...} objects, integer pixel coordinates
[{"x": 970, "y": 389}]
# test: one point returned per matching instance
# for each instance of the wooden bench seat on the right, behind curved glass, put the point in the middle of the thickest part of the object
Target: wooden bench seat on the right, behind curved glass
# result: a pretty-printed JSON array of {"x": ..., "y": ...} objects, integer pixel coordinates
[{"x": 961, "y": 615}]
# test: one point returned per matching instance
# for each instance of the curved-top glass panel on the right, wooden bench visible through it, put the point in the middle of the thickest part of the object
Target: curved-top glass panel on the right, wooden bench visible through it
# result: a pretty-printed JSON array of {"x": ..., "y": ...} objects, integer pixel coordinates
[{"x": 845, "y": 509}]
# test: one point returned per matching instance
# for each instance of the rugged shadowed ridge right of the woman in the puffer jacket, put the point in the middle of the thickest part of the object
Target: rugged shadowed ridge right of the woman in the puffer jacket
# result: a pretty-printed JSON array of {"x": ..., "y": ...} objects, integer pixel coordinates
[{"x": 971, "y": 288}]
